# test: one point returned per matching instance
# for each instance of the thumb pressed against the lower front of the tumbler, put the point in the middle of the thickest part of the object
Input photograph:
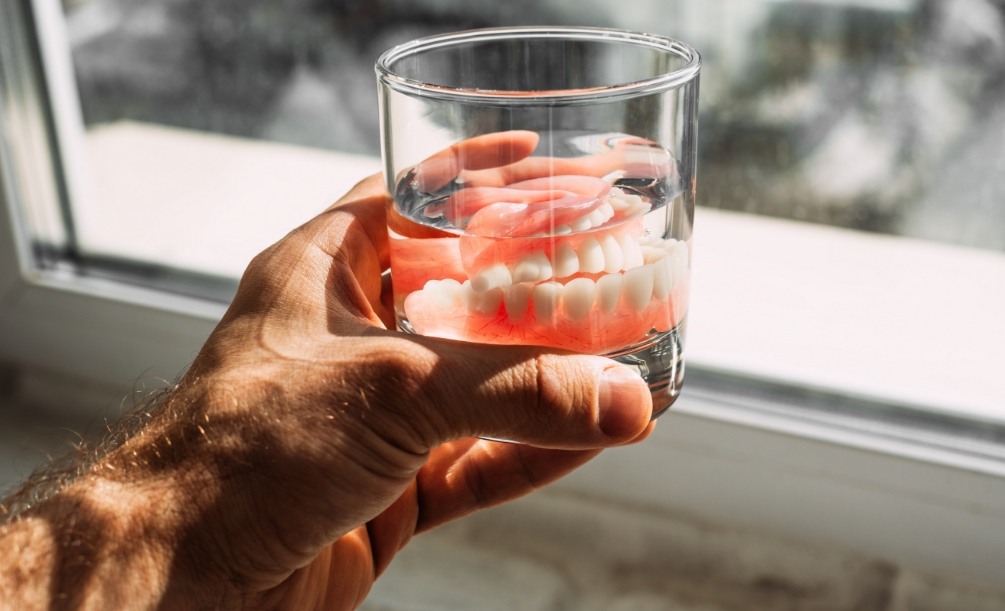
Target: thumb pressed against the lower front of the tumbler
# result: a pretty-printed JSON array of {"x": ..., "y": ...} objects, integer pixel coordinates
[{"x": 530, "y": 395}]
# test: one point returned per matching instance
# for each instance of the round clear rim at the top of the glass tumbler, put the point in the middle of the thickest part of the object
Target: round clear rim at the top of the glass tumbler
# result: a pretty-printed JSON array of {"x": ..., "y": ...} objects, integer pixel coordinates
[{"x": 660, "y": 83}]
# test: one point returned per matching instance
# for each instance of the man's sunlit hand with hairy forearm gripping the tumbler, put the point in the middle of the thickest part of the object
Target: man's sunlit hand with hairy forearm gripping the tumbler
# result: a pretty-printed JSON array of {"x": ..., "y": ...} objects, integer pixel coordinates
[{"x": 309, "y": 443}]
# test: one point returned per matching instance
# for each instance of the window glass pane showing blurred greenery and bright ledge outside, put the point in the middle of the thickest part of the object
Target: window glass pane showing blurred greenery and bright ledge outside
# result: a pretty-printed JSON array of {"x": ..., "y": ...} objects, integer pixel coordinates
[{"x": 214, "y": 128}]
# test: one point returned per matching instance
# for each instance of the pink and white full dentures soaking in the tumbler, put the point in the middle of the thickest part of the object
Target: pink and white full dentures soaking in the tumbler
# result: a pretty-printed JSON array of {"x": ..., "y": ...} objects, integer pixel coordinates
[{"x": 562, "y": 262}]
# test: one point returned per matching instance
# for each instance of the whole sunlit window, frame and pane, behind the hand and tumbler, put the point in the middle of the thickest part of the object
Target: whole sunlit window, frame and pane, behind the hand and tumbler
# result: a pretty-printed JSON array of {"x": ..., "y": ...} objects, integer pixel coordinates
[{"x": 850, "y": 268}]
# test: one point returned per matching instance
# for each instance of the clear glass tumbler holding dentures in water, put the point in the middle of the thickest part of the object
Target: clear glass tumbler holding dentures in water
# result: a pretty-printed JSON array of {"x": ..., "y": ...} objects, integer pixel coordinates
[{"x": 543, "y": 181}]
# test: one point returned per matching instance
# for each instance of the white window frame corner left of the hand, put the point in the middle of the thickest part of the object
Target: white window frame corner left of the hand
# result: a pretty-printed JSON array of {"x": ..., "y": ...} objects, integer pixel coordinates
[{"x": 51, "y": 317}]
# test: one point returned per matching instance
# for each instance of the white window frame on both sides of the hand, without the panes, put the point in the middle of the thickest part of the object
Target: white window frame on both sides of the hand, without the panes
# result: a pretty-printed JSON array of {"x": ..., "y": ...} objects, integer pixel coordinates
[{"x": 740, "y": 454}]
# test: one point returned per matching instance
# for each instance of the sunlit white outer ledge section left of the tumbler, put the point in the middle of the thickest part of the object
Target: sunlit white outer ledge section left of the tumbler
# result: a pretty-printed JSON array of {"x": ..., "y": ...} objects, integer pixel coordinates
[{"x": 228, "y": 198}]
